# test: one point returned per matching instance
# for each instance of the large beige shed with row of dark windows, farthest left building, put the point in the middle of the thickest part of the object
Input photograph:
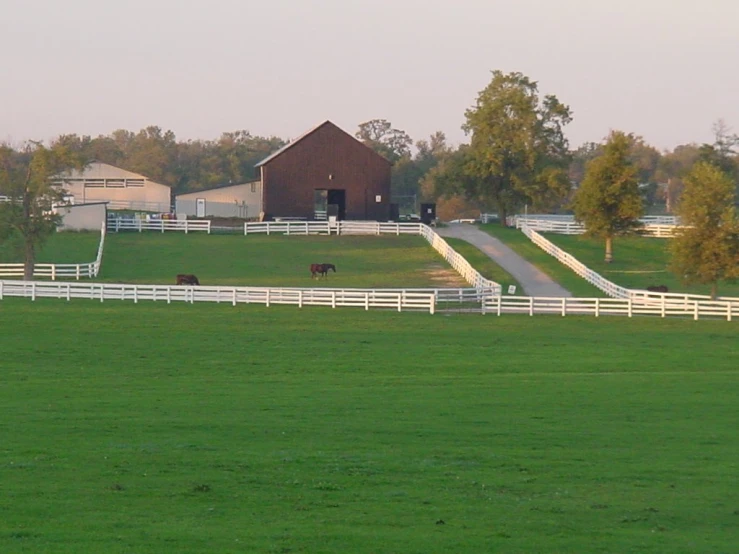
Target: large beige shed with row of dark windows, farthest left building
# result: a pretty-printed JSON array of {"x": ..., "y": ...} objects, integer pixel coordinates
[{"x": 123, "y": 190}]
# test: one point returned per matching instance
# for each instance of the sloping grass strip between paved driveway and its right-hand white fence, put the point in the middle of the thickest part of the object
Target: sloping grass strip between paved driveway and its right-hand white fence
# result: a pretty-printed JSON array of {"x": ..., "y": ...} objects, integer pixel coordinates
[{"x": 560, "y": 273}]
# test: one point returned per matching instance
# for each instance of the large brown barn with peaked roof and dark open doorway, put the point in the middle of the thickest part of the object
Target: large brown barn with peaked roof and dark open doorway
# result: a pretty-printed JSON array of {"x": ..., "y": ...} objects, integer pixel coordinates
[{"x": 325, "y": 170}]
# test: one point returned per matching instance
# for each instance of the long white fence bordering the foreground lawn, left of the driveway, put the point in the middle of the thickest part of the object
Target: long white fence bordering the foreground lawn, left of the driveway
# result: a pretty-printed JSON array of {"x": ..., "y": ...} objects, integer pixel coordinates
[{"x": 399, "y": 300}]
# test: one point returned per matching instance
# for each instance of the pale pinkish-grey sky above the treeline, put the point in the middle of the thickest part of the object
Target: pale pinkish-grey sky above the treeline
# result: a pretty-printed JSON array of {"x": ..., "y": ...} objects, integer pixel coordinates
[{"x": 666, "y": 70}]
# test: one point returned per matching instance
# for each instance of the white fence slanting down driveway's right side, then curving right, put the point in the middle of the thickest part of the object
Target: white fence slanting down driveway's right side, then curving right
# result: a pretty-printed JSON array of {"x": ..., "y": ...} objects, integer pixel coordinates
[{"x": 604, "y": 284}]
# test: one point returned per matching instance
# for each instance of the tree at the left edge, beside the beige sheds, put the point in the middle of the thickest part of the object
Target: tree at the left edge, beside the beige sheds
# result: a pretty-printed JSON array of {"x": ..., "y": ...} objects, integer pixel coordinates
[{"x": 25, "y": 179}]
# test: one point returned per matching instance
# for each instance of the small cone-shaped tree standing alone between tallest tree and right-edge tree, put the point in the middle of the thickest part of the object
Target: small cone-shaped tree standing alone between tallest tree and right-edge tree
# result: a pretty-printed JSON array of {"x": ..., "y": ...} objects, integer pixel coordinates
[{"x": 608, "y": 202}]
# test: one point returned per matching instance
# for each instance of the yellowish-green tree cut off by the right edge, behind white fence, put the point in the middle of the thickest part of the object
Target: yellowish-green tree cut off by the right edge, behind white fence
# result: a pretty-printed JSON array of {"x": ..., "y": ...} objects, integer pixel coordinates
[{"x": 705, "y": 249}]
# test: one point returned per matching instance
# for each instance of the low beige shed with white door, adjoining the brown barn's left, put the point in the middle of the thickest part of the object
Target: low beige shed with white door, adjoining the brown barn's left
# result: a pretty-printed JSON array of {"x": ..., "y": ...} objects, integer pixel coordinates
[{"x": 244, "y": 201}]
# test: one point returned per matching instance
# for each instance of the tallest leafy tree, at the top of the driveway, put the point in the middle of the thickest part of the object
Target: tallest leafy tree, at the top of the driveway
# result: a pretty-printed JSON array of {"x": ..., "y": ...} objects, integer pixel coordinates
[{"x": 518, "y": 152}]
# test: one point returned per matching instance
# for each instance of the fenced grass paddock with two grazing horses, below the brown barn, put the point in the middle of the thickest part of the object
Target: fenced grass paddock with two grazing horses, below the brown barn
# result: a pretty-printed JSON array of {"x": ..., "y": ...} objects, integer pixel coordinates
[{"x": 277, "y": 261}]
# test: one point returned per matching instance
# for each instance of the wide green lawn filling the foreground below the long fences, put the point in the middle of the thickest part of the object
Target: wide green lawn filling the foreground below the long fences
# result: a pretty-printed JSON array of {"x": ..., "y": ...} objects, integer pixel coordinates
[{"x": 200, "y": 428}]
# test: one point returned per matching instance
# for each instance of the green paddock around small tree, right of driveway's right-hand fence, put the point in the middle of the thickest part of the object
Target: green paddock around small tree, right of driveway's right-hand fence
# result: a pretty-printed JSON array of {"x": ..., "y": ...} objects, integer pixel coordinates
[{"x": 638, "y": 262}]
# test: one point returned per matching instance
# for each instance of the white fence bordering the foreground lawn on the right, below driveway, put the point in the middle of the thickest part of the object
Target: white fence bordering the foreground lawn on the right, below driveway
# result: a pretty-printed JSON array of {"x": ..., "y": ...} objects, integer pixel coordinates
[{"x": 662, "y": 307}]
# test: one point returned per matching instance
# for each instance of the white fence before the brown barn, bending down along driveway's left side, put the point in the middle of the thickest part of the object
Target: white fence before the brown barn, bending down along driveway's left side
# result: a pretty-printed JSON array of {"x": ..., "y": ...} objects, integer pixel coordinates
[{"x": 469, "y": 273}]
